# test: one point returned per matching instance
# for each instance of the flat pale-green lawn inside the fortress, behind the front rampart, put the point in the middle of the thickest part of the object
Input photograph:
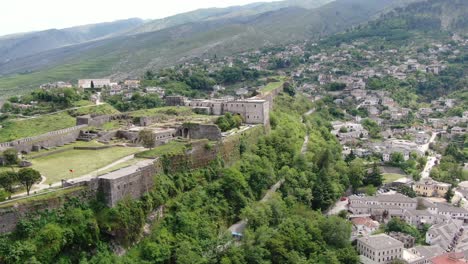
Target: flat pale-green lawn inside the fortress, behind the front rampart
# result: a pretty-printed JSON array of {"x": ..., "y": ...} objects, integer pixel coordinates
[{"x": 57, "y": 166}]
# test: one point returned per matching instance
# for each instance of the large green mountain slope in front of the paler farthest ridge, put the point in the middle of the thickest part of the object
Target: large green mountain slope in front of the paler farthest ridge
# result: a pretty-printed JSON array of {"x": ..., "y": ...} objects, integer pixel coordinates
[{"x": 131, "y": 53}]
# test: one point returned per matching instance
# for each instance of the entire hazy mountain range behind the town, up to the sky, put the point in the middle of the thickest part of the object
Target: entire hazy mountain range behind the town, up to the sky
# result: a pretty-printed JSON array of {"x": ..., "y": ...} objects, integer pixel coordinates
[{"x": 127, "y": 48}]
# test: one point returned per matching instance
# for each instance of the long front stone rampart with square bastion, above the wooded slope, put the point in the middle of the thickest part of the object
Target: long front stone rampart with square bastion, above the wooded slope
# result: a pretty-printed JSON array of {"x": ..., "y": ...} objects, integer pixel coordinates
[{"x": 133, "y": 181}]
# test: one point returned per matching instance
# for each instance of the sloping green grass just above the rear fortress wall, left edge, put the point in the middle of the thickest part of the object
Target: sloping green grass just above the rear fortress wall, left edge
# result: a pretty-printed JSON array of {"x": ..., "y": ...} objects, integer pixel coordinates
[{"x": 16, "y": 129}]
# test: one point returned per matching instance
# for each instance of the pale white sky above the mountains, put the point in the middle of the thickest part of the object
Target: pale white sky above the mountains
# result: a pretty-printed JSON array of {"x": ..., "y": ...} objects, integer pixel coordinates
[{"x": 31, "y": 15}]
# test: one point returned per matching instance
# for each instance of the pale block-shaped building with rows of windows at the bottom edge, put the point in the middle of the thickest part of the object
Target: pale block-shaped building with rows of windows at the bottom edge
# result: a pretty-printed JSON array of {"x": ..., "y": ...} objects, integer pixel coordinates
[{"x": 379, "y": 248}]
